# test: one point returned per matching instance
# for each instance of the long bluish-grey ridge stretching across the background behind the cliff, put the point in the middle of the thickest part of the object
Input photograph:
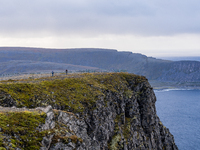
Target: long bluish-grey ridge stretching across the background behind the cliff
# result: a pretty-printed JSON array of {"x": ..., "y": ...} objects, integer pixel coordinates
[{"x": 106, "y": 59}]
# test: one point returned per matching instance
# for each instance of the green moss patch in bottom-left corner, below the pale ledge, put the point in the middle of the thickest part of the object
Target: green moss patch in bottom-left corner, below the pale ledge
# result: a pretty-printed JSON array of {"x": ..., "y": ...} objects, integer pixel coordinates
[{"x": 21, "y": 127}]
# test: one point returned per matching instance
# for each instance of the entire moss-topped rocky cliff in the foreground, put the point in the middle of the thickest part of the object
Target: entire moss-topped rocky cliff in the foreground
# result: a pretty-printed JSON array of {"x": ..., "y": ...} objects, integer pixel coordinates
[{"x": 96, "y": 111}]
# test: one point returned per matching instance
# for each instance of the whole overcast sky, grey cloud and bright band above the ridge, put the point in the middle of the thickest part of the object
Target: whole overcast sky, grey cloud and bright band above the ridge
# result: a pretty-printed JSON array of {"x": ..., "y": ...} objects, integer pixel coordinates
[{"x": 150, "y": 27}]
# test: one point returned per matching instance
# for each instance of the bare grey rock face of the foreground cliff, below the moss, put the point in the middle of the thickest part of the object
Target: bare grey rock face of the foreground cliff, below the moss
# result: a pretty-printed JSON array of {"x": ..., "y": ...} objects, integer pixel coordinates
[{"x": 125, "y": 124}]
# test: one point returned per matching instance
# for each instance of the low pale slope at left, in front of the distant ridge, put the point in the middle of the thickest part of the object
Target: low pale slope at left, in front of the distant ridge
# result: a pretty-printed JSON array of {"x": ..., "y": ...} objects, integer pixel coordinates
[{"x": 26, "y": 66}]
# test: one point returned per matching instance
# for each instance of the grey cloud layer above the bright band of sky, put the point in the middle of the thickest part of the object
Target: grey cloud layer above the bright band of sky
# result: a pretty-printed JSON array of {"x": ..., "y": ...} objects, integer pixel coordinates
[{"x": 142, "y": 17}]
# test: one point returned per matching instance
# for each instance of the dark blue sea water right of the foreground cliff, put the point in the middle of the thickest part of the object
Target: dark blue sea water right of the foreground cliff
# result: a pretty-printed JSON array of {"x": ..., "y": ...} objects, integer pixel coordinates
[{"x": 179, "y": 110}]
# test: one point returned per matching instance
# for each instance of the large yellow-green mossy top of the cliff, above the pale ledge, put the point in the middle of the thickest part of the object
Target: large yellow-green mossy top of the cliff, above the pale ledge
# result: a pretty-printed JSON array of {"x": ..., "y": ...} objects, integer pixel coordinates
[{"x": 73, "y": 94}]
